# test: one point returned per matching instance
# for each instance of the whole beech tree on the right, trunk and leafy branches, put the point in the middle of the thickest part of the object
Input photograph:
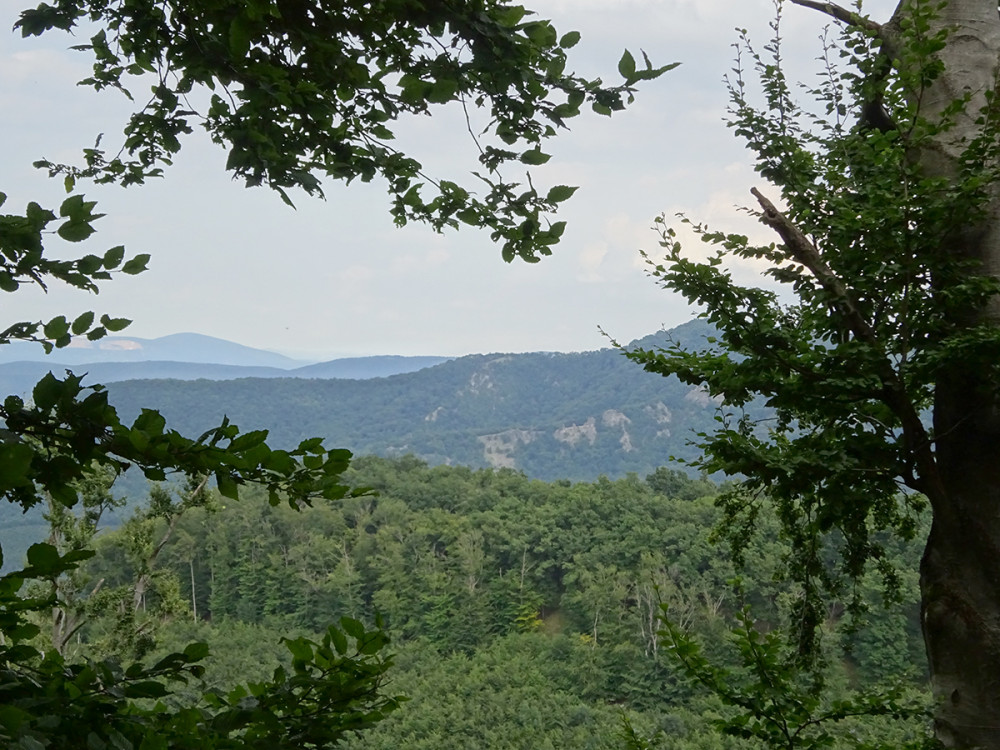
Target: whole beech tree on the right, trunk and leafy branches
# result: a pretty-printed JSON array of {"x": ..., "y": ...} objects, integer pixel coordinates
[{"x": 883, "y": 373}]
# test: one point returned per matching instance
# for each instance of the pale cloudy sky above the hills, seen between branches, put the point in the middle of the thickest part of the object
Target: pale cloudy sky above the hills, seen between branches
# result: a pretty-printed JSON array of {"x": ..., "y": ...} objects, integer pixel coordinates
[{"x": 336, "y": 278}]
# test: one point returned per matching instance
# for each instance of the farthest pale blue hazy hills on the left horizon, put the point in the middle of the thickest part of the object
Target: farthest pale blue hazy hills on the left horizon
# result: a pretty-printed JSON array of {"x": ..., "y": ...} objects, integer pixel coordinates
[{"x": 182, "y": 356}]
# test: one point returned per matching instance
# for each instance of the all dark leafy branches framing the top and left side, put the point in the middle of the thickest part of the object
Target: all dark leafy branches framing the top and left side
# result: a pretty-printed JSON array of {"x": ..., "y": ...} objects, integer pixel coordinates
[{"x": 294, "y": 89}]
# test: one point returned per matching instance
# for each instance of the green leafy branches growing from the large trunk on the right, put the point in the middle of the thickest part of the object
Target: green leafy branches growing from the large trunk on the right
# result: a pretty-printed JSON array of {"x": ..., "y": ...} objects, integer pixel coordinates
[{"x": 850, "y": 366}]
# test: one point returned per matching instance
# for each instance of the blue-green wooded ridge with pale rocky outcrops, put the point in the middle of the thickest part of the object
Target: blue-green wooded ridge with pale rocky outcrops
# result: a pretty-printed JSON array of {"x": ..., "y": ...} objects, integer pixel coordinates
[{"x": 552, "y": 416}]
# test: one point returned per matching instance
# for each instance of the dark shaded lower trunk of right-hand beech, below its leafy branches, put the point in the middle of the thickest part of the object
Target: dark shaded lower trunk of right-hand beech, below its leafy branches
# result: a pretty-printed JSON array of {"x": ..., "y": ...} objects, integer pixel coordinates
[{"x": 960, "y": 570}]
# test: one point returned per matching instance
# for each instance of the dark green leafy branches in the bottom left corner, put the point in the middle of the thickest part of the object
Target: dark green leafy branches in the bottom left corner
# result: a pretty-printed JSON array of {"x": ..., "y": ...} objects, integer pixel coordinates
[{"x": 49, "y": 702}]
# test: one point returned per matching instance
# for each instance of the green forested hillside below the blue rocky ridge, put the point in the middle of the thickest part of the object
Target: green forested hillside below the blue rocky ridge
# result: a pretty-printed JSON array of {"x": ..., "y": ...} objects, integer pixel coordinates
[{"x": 523, "y": 614}]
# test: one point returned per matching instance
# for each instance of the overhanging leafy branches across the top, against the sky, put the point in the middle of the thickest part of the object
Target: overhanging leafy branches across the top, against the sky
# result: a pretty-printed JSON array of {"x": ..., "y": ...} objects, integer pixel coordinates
[{"x": 300, "y": 89}]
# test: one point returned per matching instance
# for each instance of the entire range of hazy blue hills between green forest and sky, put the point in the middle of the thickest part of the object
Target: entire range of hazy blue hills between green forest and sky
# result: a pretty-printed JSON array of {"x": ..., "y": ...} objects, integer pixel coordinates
[{"x": 551, "y": 415}]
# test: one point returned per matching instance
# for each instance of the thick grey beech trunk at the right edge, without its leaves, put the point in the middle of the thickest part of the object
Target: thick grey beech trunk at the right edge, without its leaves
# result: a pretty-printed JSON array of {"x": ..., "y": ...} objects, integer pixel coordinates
[{"x": 960, "y": 570}]
